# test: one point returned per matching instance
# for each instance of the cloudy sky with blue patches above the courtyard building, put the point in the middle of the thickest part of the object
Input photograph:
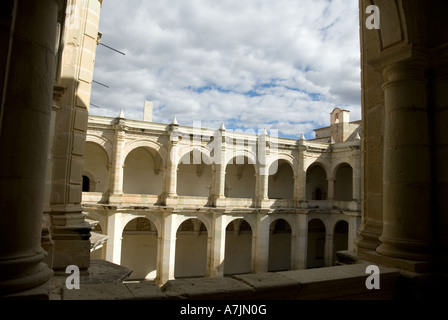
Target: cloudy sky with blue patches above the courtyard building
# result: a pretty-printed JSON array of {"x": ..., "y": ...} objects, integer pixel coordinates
[{"x": 275, "y": 64}]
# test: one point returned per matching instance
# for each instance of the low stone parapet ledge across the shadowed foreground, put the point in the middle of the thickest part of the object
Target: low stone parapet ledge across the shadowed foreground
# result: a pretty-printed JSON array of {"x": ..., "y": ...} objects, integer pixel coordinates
[{"x": 340, "y": 282}]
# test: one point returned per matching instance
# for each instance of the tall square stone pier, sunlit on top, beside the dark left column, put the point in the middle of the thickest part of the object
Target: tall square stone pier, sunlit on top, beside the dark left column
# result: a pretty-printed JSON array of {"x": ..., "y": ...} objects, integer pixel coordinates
[{"x": 69, "y": 229}]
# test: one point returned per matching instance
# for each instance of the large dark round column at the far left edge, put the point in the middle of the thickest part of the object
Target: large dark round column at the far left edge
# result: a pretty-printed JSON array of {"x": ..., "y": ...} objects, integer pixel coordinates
[{"x": 26, "y": 105}]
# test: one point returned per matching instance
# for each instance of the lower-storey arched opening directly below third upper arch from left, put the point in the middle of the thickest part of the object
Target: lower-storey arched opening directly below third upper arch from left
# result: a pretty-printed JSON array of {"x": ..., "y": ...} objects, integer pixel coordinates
[{"x": 191, "y": 249}]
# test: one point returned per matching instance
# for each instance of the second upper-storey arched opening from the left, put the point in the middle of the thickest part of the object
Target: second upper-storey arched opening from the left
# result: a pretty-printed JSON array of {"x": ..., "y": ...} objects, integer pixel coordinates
[{"x": 142, "y": 173}]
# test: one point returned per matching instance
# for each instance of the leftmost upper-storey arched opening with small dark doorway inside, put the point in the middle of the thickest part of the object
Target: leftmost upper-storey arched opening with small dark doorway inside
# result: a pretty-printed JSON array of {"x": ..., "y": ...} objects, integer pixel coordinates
[{"x": 96, "y": 163}]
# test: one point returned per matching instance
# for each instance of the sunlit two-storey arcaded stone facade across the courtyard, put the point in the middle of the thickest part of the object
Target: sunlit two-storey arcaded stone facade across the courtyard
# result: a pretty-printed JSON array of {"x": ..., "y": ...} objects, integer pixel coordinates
[{"x": 179, "y": 201}]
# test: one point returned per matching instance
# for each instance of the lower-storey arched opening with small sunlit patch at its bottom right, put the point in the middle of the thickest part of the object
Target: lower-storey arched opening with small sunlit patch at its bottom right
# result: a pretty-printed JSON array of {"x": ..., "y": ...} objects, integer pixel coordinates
[{"x": 139, "y": 249}]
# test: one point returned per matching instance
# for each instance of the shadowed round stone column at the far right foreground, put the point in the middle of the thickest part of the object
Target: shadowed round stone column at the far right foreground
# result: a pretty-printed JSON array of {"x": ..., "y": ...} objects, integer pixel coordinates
[{"x": 407, "y": 162}]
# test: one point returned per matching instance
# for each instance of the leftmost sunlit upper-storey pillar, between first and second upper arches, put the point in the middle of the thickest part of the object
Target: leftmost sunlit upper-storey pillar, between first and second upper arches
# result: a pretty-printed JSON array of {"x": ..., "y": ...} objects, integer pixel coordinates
[{"x": 117, "y": 172}]
